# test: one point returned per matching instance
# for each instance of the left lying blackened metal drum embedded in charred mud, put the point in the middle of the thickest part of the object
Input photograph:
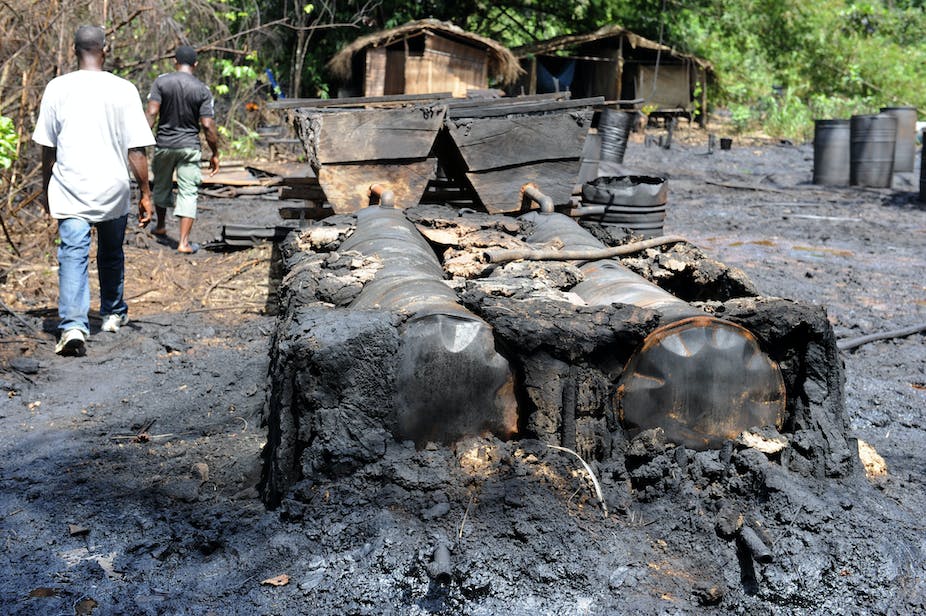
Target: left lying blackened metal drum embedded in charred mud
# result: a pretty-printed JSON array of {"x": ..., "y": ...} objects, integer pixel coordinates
[{"x": 450, "y": 380}]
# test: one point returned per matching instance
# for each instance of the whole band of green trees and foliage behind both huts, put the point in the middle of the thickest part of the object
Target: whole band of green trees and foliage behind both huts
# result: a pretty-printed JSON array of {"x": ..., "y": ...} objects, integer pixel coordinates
[{"x": 778, "y": 64}]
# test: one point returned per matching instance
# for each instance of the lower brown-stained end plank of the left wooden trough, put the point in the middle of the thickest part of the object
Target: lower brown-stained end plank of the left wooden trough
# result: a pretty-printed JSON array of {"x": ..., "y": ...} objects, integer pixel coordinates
[{"x": 347, "y": 187}]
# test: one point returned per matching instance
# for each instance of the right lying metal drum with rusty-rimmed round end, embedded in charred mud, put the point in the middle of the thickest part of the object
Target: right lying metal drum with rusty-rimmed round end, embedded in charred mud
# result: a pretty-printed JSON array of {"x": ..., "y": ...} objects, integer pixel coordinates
[{"x": 701, "y": 379}]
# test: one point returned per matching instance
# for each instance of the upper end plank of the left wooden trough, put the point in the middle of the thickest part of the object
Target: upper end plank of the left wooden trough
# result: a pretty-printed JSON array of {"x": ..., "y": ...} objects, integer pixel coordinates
[{"x": 370, "y": 134}]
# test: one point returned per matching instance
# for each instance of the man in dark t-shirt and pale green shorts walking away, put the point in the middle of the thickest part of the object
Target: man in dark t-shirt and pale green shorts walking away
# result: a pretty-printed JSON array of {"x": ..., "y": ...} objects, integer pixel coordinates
[{"x": 180, "y": 104}]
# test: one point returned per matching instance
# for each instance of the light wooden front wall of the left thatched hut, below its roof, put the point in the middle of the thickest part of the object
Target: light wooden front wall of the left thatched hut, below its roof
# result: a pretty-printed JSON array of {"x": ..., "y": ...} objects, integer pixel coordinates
[{"x": 425, "y": 64}]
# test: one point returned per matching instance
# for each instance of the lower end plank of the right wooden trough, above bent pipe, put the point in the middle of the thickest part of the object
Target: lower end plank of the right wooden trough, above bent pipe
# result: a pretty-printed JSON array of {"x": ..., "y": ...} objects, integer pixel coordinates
[{"x": 500, "y": 189}]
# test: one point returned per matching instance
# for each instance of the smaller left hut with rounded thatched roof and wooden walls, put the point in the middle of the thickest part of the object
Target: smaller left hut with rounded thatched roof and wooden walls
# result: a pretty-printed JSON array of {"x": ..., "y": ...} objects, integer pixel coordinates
[{"x": 422, "y": 57}]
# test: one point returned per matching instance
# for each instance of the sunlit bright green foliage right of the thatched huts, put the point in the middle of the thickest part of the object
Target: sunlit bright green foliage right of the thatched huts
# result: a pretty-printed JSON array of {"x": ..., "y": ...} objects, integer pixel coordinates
[{"x": 826, "y": 59}]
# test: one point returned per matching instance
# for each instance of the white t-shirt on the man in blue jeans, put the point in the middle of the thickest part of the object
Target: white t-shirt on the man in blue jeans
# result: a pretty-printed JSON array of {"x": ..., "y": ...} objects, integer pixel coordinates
[{"x": 93, "y": 118}]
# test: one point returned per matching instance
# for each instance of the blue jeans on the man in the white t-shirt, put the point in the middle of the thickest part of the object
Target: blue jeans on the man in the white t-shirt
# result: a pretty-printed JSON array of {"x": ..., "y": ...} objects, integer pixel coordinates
[{"x": 73, "y": 281}]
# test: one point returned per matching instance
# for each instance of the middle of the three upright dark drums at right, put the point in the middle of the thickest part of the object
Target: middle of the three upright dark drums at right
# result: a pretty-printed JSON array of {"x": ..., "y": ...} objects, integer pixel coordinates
[{"x": 871, "y": 153}]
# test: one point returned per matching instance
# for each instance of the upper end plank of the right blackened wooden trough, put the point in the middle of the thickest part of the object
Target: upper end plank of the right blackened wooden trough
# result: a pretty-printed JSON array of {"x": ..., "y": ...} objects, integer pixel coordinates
[{"x": 491, "y": 143}]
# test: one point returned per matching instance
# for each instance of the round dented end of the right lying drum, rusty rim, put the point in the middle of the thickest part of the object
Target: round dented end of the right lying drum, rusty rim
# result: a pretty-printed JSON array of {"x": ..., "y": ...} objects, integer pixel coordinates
[{"x": 703, "y": 381}]
